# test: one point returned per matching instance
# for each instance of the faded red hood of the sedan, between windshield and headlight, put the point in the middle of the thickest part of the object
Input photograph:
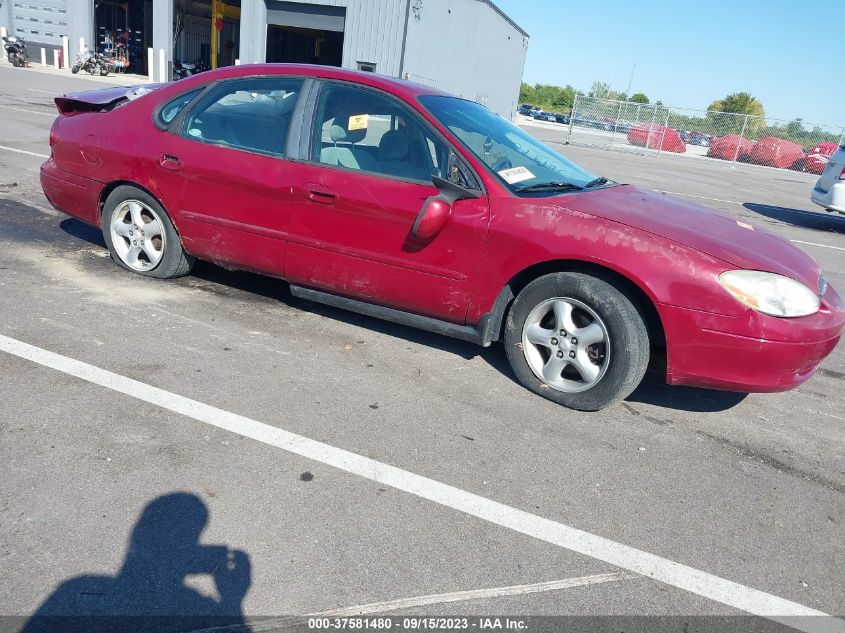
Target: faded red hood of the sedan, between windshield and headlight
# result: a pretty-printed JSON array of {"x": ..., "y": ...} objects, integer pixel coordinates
[{"x": 730, "y": 239}]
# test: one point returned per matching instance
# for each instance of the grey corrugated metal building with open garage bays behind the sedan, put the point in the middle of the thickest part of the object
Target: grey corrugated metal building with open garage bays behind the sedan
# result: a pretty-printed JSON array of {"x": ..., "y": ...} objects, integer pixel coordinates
[{"x": 468, "y": 47}]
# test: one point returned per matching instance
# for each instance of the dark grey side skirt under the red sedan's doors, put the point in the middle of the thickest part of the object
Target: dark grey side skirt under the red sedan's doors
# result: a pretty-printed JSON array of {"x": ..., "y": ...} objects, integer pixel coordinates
[{"x": 479, "y": 334}]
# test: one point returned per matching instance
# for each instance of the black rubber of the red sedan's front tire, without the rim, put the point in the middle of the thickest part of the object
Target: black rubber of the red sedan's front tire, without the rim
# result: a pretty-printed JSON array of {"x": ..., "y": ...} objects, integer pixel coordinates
[{"x": 628, "y": 344}]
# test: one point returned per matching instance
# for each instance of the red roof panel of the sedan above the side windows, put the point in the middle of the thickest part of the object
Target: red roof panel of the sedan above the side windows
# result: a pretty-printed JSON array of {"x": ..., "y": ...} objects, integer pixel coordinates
[{"x": 408, "y": 90}]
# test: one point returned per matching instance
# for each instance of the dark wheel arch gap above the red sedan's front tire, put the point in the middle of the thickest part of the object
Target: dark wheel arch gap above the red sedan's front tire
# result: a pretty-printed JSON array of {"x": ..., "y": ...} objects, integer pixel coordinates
[{"x": 636, "y": 293}]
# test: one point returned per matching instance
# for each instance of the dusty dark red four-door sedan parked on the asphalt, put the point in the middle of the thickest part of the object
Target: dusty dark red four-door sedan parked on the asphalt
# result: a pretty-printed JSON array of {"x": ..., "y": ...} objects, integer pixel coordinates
[{"x": 406, "y": 203}]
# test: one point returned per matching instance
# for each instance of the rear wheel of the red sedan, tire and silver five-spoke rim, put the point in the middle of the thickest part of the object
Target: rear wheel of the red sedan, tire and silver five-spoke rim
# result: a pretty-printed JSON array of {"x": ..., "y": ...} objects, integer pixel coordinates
[{"x": 140, "y": 235}]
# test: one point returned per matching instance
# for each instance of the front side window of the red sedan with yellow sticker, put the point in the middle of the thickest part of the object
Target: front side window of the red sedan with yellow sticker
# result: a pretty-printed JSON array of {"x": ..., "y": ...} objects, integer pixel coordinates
[{"x": 363, "y": 130}]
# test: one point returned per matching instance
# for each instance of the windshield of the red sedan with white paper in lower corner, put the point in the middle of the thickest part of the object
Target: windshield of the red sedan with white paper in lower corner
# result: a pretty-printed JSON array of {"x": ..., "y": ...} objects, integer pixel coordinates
[{"x": 520, "y": 161}]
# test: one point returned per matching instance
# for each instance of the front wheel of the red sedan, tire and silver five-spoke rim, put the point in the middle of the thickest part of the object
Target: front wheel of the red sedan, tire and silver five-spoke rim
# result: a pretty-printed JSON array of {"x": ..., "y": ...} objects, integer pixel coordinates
[{"x": 576, "y": 339}]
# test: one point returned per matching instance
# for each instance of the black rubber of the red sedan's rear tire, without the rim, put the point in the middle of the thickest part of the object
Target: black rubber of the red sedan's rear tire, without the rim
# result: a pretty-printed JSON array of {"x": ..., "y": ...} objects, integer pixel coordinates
[{"x": 175, "y": 262}]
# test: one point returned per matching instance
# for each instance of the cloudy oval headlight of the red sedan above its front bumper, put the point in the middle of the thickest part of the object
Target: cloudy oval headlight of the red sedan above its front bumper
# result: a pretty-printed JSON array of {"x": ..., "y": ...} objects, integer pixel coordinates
[{"x": 770, "y": 293}]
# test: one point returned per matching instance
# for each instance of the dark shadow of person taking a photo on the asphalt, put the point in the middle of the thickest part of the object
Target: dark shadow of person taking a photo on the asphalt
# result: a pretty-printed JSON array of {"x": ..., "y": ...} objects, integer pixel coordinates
[{"x": 150, "y": 593}]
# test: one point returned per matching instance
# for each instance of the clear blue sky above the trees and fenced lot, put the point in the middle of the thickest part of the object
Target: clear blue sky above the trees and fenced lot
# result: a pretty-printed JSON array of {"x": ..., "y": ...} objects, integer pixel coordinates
[{"x": 688, "y": 53}]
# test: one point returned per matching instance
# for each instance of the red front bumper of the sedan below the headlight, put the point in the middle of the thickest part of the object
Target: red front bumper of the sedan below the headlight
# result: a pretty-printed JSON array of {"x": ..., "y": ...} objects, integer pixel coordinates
[{"x": 750, "y": 353}]
